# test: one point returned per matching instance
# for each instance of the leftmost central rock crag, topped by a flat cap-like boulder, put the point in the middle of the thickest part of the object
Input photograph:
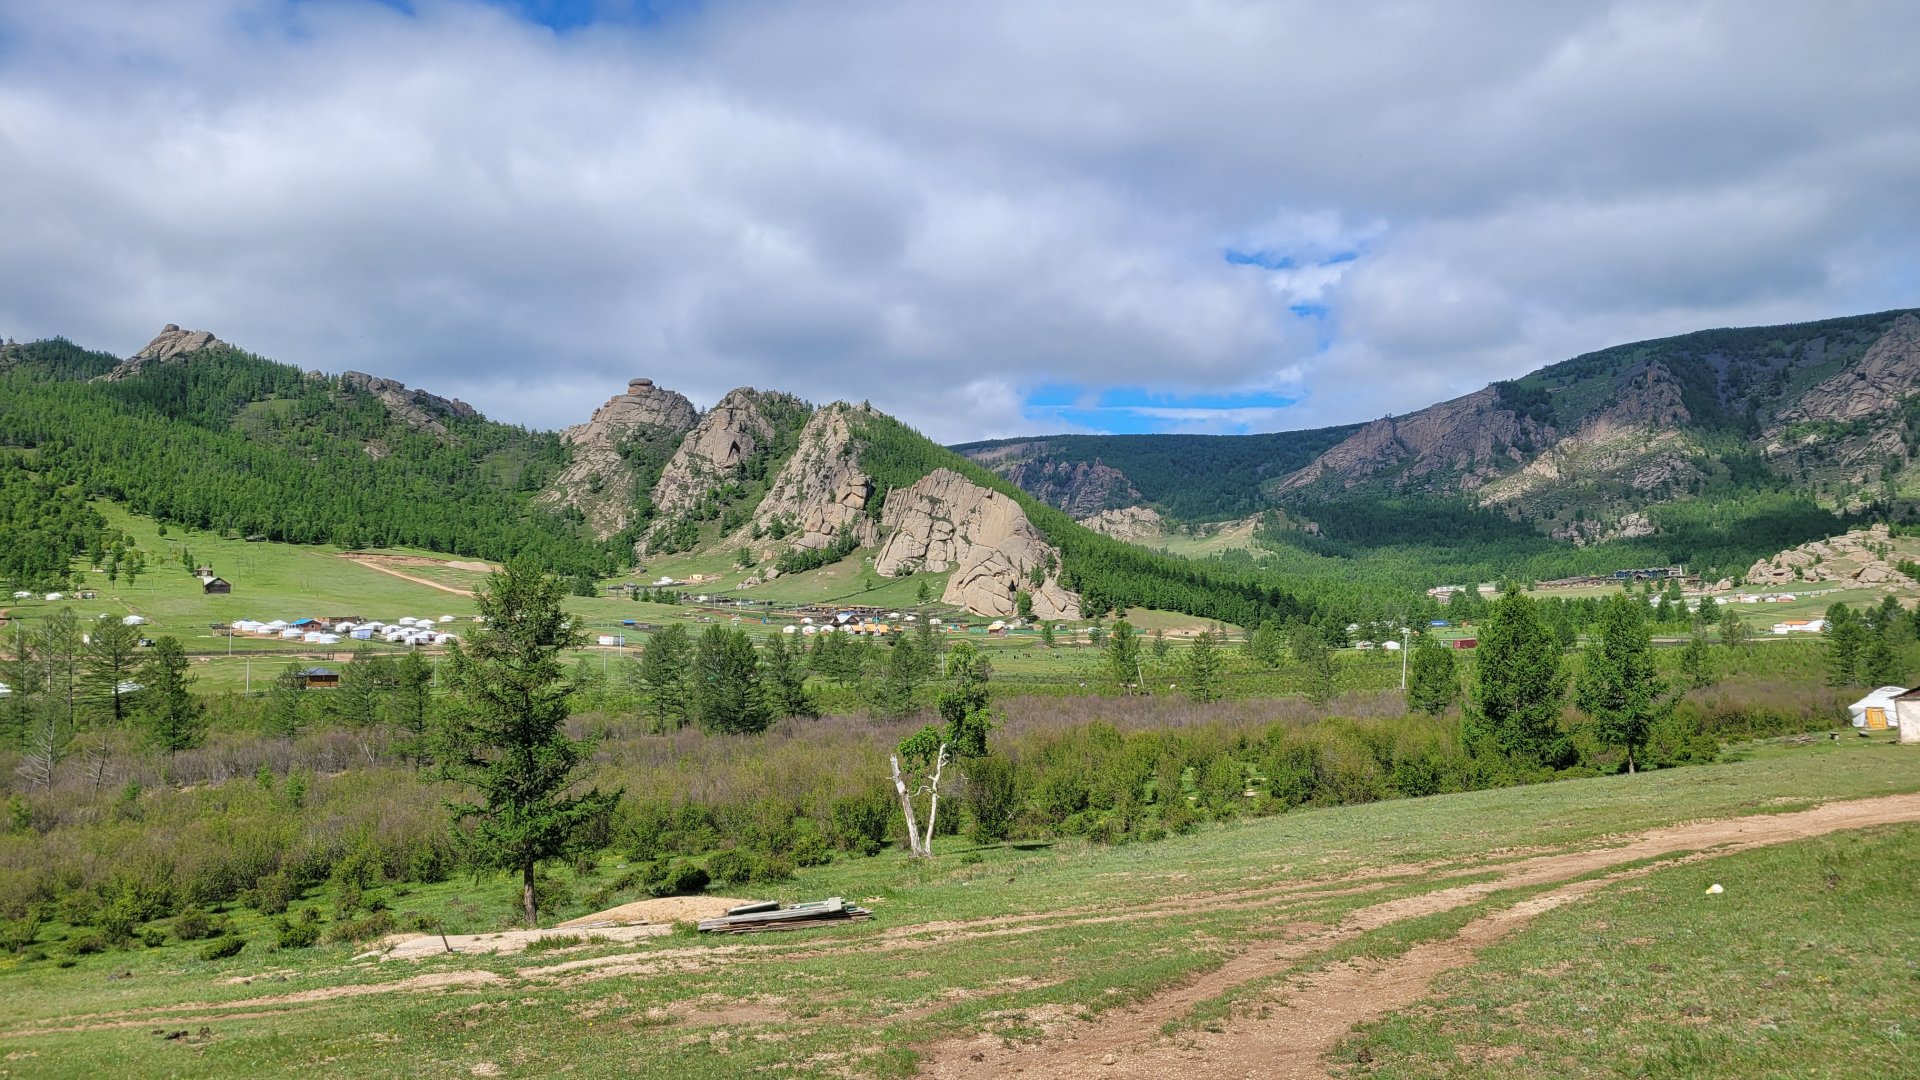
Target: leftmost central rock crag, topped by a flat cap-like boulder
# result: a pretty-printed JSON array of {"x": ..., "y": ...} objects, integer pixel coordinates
[{"x": 612, "y": 449}]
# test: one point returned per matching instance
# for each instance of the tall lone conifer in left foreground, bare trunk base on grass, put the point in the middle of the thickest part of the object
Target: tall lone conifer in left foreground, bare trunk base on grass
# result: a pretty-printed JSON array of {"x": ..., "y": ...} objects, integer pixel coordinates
[{"x": 506, "y": 739}]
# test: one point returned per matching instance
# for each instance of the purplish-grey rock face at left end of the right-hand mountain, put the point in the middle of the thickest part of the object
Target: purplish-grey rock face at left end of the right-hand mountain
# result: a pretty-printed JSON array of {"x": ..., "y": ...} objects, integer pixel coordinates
[{"x": 1472, "y": 437}]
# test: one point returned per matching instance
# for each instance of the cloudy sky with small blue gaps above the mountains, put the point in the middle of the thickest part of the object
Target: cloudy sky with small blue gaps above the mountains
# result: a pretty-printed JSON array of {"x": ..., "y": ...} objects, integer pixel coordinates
[{"x": 988, "y": 218}]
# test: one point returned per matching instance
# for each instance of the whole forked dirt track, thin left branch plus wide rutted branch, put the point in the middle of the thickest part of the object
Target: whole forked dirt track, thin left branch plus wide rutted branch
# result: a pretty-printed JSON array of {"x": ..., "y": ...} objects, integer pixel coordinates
[{"x": 1287, "y": 1043}]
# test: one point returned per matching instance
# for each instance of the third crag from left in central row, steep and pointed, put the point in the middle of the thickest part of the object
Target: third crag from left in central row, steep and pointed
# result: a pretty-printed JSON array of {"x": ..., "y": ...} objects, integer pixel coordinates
[{"x": 819, "y": 491}]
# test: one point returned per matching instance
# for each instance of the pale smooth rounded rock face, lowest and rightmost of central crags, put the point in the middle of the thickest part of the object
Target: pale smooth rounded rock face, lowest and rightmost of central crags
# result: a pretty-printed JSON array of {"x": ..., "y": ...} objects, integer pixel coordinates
[{"x": 946, "y": 522}]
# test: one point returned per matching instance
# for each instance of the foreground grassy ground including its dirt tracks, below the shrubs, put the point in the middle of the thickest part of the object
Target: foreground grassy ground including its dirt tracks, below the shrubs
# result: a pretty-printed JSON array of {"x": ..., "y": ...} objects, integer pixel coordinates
[{"x": 1562, "y": 929}]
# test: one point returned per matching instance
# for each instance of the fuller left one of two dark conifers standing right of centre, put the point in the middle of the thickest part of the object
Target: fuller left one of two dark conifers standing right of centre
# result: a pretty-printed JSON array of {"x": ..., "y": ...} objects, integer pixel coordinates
[{"x": 1518, "y": 687}]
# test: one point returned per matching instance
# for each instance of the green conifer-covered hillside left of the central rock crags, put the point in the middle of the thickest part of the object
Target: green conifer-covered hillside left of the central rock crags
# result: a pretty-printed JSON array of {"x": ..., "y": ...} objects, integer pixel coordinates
[{"x": 258, "y": 449}]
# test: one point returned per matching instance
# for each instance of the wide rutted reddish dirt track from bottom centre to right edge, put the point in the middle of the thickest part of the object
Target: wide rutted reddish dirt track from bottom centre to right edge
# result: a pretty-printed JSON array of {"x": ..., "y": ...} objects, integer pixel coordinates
[{"x": 1291, "y": 1039}]
